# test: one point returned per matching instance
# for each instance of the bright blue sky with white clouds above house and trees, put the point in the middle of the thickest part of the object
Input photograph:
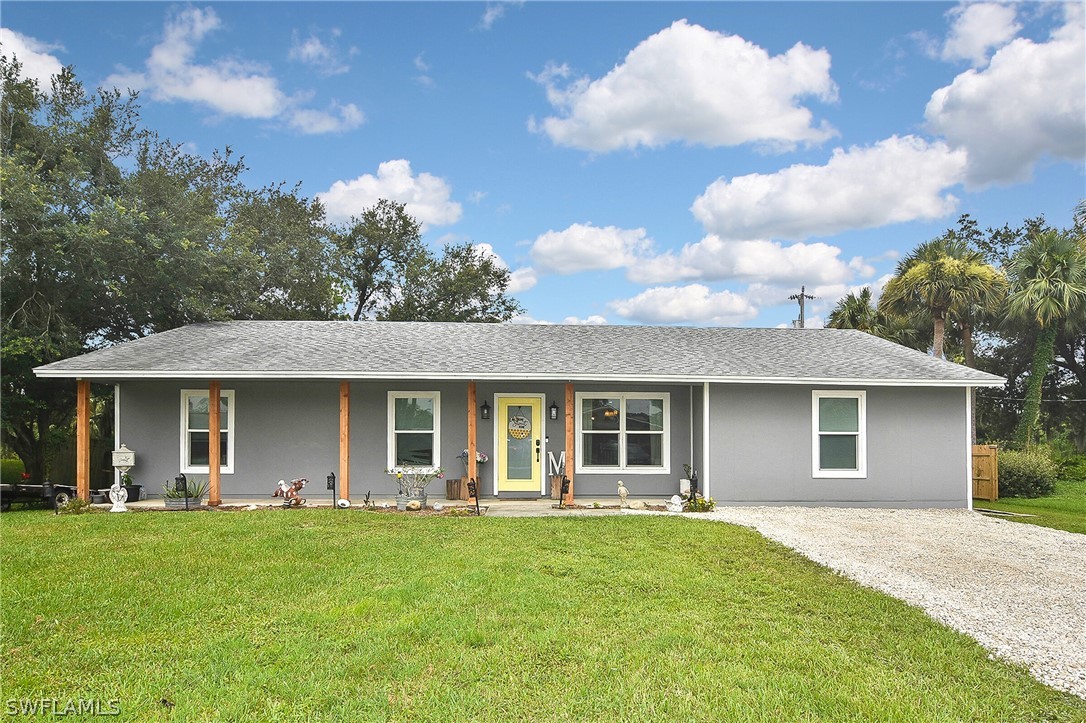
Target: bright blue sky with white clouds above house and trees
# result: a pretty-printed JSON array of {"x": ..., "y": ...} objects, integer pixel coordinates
[{"x": 630, "y": 163}]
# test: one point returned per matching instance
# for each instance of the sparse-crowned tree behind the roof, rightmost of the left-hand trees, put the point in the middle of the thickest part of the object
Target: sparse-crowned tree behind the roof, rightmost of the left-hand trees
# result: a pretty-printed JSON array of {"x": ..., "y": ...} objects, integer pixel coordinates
[{"x": 395, "y": 277}]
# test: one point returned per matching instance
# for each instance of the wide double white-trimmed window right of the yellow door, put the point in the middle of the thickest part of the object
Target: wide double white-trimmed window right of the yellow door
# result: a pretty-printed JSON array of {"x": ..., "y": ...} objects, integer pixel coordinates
[{"x": 628, "y": 433}]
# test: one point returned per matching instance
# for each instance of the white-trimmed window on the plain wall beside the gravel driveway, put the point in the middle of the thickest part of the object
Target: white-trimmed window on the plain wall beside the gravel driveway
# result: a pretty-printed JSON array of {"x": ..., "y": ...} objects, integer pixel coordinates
[{"x": 839, "y": 445}]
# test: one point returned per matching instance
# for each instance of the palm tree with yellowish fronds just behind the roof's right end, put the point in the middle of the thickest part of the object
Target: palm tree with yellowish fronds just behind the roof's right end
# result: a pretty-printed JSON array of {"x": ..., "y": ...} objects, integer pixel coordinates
[{"x": 946, "y": 278}]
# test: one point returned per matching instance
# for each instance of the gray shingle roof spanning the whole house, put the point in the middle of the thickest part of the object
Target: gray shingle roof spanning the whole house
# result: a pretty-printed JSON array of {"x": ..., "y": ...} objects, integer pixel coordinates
[{"x": 388, "y": 350}]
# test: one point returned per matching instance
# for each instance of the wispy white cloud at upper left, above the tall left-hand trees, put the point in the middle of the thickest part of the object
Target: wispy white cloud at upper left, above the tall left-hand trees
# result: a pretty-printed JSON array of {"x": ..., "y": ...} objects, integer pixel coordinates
[{"x": 230, "y": 86}]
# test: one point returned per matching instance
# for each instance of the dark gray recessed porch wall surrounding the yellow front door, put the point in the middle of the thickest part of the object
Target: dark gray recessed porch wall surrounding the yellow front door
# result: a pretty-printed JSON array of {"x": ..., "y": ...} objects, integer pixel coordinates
[{"x": 286, "y": 429}]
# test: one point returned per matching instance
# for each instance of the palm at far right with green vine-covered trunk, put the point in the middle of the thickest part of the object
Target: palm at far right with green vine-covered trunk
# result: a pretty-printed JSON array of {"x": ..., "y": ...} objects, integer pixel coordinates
[{"x": 1049, "y": 287}]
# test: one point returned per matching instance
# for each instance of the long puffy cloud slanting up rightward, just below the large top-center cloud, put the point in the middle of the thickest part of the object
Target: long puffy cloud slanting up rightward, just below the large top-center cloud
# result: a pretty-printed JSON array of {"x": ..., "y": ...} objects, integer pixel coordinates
[{"x": 899, "y": 180}]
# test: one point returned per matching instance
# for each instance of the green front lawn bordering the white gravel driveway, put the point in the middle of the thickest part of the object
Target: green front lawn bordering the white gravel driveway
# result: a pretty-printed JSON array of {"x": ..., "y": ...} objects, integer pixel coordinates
[{"x": 321, "y": 614}]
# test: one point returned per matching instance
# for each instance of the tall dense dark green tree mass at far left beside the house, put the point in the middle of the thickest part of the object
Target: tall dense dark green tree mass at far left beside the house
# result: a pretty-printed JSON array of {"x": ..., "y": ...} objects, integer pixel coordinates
[{"x": 110, "y": 234}]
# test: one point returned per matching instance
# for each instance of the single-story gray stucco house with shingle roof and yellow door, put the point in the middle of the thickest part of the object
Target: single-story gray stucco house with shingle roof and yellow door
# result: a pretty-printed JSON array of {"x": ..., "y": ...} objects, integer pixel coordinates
[{"x": 766, "y": 416}]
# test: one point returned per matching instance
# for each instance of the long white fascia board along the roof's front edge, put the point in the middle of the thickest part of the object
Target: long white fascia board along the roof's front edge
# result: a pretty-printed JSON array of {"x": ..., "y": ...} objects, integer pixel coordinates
[{"x": 668, "y": 379}]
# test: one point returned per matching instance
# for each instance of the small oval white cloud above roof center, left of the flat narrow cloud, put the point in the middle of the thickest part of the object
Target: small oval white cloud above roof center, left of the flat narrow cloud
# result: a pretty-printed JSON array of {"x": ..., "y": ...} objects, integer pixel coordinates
[{"x": 585, "y": 247}]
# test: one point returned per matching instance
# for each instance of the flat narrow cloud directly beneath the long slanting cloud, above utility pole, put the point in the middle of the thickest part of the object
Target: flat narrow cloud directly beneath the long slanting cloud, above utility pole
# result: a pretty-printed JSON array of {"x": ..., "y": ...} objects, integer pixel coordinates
[{"x": 714, "y": 259}]
